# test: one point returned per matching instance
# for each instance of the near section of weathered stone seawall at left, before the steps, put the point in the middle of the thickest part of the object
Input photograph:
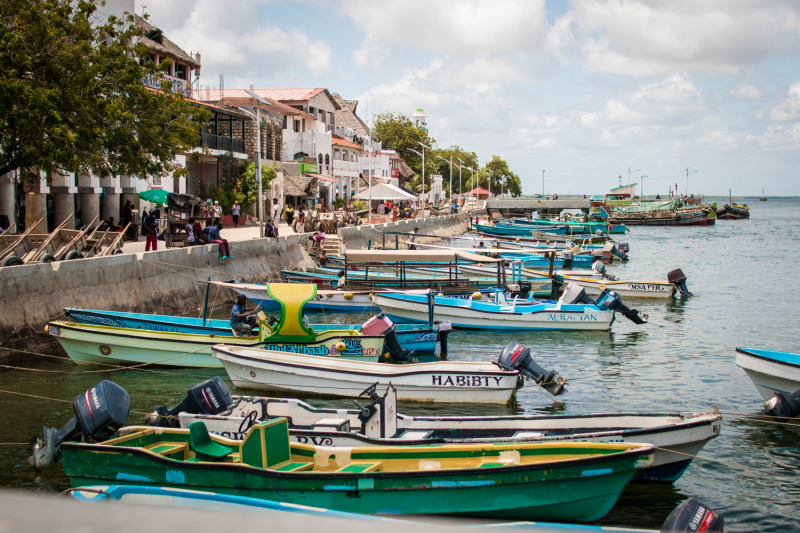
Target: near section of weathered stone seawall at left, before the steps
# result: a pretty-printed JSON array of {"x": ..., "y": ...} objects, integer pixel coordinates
[{"x": 163, "y": 282}]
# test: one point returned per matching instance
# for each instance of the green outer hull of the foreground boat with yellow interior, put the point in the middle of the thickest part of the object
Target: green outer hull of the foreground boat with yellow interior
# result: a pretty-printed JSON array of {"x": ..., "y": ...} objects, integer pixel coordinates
[{"x": 582, "y": 489}]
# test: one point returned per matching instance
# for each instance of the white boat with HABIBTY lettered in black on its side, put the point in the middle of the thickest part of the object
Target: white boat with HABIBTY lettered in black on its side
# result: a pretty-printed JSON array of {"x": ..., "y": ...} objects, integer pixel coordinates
[{"x": 439, "y": 381}]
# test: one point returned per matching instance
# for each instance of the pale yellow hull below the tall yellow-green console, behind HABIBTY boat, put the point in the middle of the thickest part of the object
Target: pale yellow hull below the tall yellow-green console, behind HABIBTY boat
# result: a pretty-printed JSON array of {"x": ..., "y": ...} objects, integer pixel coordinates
[{"x": 107, "y": 345}]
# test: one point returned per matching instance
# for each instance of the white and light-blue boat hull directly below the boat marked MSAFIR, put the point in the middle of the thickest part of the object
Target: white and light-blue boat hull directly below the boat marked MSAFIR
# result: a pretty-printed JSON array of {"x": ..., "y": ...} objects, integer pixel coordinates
[{"x": 460, "y": 316}]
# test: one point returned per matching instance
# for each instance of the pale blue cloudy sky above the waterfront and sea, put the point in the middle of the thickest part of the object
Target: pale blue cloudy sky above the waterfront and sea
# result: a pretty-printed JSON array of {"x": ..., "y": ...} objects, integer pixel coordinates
[{"x": 582, "y": 88}]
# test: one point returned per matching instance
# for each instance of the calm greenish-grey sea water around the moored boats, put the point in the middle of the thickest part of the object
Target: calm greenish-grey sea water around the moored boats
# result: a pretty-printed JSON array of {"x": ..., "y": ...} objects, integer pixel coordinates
[{"x": 744, "y": 276}]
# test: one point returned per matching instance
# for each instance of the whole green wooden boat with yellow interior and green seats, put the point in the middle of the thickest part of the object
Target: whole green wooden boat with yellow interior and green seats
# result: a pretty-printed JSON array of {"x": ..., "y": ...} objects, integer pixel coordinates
[{"x": 544, "y": 481}]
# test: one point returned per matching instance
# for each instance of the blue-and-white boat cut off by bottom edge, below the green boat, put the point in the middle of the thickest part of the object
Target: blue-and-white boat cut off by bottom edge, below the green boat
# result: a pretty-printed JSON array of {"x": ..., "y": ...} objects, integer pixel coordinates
[{"x": 258, "y": 508}]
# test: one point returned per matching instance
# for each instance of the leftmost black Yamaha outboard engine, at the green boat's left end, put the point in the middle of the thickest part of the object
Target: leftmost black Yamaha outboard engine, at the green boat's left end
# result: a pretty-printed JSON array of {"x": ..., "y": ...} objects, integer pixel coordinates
[{"x": 99, "y": 413}]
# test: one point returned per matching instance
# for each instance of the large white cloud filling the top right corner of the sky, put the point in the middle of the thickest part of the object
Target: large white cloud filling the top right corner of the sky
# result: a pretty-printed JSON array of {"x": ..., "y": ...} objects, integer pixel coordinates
[{"x": 645, "y": 37}]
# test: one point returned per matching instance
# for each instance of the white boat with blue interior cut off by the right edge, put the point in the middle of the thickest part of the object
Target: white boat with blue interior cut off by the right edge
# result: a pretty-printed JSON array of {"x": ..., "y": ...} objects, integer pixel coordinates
[{"x": 770, "y": 371}]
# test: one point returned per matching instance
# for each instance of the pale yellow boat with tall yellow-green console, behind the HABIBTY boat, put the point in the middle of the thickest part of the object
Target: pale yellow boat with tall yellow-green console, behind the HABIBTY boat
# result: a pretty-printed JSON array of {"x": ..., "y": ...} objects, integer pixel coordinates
[{"x": 87, "y": 344}]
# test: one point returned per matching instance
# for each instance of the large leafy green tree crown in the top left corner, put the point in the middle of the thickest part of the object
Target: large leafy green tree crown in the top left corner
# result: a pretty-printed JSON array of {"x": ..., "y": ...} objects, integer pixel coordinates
[{"x": 72, "y": 96}]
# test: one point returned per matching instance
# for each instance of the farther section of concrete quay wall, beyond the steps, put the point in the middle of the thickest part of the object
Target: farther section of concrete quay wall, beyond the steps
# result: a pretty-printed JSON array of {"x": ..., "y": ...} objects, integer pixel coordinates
[{"x": 359, "y": 237}]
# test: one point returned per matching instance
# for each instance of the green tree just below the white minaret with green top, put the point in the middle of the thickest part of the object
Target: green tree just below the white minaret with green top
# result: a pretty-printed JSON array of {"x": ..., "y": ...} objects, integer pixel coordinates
[{"x": 396, "y": 132}]
